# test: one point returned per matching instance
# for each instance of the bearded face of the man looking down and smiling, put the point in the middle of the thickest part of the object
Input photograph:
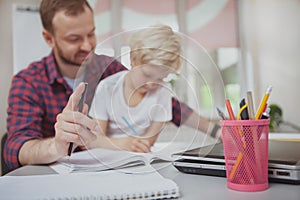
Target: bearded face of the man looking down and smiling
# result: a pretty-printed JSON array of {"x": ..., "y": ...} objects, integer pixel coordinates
[{"x": 74, "y": 37}]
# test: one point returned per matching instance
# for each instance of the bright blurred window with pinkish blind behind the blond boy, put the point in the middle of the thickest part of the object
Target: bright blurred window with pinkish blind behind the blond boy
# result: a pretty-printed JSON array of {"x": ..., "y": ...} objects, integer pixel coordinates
[{"x": 209, "y": 28}]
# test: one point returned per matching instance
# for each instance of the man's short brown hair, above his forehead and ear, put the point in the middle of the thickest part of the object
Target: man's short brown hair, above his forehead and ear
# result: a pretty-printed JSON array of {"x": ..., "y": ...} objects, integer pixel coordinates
[{"x": 48, "y": 9}]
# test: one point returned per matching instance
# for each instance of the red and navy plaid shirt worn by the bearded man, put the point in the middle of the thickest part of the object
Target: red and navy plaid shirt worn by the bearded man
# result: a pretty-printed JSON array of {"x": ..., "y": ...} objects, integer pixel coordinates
[{"x": 39, "y": 93}]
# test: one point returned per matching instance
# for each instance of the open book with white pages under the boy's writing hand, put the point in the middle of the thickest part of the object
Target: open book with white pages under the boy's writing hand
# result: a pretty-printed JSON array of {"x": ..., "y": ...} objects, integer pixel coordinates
[{"x": 103, "y": 159}]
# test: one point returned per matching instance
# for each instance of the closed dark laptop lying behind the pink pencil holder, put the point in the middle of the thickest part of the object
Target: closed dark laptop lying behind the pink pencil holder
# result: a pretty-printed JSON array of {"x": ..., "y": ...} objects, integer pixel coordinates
[{"x": 284, "y": 161}]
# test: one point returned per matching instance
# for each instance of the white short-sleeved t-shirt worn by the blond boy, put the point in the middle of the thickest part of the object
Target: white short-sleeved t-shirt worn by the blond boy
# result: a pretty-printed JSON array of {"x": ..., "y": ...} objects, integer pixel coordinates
[{"x": 109, "y": 104}]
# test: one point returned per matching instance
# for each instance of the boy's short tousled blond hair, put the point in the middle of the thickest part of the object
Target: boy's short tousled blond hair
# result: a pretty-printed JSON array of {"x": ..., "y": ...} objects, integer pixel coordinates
[{"x": 156, "y": 45}]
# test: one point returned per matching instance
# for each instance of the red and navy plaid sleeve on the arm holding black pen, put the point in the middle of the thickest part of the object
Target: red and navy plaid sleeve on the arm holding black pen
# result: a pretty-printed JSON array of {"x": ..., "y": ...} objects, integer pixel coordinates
[{"x": 24, "y": 119}]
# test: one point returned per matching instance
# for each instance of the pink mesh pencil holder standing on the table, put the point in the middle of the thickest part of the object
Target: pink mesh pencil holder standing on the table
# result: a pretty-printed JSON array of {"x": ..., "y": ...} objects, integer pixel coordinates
[{"x": 246, "y": 154}]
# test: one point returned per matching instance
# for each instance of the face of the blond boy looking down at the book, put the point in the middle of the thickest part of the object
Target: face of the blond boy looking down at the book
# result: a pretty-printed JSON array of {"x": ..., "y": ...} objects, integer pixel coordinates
[{"x": 148, "y": 77}]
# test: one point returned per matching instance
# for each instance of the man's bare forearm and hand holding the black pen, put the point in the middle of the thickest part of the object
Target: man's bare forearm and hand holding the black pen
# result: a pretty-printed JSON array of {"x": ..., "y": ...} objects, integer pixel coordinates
[{"x": 71, "y": 126}]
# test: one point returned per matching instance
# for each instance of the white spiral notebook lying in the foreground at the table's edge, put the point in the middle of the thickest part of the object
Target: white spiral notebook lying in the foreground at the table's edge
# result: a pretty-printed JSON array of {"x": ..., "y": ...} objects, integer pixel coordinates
[{"x": 142, "y": 183}]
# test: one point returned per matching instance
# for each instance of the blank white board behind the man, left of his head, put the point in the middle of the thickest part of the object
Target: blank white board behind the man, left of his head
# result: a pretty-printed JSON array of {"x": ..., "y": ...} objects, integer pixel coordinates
[{"x": 28, "y": 42}]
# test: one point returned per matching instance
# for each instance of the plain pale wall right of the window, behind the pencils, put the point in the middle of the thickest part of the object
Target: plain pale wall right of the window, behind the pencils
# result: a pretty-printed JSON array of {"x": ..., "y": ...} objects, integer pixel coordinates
[{"x": 271, "y": 30}]
